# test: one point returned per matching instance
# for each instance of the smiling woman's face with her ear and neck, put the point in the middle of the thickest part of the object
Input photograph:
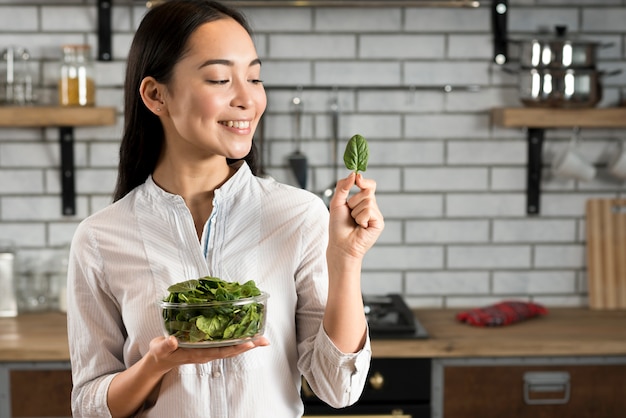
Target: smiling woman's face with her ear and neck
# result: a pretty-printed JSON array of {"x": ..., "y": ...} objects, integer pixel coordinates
[{"x": 210, "y": 106}]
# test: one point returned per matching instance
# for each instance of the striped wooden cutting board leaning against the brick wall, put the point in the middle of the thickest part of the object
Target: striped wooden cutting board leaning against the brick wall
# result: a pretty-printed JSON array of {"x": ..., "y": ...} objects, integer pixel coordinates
[{"x": 606, "y": 257}]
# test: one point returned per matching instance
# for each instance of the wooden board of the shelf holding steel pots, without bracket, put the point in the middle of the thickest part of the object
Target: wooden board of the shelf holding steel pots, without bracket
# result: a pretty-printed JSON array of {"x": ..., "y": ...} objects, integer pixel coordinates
[{"x": 535, "y": 117}]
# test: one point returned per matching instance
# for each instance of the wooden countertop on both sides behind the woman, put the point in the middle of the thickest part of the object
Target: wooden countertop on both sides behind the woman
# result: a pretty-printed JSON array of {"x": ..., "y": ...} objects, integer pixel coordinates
[{"x": 563, "y": 332}]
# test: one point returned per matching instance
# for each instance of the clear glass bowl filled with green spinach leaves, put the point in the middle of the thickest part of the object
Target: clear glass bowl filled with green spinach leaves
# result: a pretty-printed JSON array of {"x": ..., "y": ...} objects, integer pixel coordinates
[{"x": 212, "y": 321}]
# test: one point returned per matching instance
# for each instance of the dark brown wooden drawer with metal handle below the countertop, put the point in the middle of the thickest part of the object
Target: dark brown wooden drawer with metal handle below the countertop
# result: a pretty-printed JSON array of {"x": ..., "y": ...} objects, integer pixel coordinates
[{"x": 535, "y": 391}]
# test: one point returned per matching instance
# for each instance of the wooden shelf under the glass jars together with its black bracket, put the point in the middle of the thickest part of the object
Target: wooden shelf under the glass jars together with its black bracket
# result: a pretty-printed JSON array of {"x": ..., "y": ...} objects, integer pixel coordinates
[{"x": 65, "y": 118}]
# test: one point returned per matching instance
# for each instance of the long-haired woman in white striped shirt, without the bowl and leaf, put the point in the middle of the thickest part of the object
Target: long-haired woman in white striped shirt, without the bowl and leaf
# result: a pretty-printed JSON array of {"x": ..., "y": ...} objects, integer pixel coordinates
[{"x": 188, "y": 204}]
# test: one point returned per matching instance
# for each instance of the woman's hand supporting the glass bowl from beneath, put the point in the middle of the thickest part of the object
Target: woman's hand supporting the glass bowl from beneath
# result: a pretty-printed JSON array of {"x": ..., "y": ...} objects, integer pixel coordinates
[{"x": 167, "y": 354}]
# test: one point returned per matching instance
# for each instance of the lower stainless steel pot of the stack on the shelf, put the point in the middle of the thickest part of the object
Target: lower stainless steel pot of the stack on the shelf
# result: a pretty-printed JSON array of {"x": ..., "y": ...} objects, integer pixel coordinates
[{"x": 570, "y": 88}]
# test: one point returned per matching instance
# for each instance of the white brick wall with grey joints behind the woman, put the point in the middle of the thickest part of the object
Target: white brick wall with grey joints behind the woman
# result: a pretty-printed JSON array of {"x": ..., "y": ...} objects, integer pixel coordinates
[{"x": 451, "y": 185}]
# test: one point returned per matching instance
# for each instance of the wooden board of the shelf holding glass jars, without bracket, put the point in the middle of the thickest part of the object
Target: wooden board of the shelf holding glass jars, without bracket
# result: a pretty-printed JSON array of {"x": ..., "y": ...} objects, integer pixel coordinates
[{"x": 42, "y": 116}]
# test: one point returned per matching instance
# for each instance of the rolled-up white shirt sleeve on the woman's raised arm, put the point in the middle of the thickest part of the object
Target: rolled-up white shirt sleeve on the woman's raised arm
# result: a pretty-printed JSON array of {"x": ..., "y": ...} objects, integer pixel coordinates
[{"x": 337, "y": 378}]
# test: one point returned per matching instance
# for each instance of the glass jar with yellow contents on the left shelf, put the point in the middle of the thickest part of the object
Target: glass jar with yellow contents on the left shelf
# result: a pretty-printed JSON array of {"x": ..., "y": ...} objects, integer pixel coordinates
[{"x": 76, "y": 82}]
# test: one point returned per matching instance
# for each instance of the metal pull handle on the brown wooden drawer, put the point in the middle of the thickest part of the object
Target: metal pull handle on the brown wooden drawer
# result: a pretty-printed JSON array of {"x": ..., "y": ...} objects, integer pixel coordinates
[{"x": 544, "y": 382}]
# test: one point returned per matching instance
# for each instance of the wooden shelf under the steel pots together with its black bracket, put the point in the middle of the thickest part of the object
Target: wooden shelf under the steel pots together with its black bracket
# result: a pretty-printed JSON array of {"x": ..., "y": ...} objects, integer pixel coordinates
[{"x": 536, "y": 120}]
